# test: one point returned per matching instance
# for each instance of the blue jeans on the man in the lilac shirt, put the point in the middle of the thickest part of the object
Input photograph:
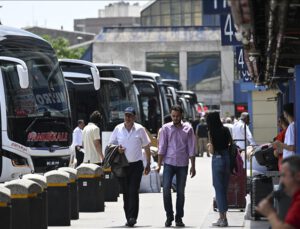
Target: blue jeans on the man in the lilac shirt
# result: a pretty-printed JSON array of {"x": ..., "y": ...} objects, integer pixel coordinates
[{"x": 181, "y": 174}]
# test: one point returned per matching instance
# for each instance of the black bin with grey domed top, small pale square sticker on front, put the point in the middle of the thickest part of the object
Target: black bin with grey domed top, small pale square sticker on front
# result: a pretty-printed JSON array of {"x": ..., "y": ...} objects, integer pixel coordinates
[{"x": 91, "y": 193}]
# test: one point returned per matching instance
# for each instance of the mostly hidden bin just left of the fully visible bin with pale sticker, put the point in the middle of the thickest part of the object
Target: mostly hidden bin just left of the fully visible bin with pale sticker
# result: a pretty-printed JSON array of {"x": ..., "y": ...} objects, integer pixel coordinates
[{"x": 73, "y": 191}]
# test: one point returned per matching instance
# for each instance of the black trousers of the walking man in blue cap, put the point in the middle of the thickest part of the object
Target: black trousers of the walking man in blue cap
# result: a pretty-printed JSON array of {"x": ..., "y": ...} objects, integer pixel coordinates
[{"x": 131, "y": 185}]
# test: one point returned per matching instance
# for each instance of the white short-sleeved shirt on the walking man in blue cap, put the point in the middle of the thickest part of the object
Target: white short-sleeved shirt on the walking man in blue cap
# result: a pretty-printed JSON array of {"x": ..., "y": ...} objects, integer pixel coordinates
[{"x": 132, "y": 140}]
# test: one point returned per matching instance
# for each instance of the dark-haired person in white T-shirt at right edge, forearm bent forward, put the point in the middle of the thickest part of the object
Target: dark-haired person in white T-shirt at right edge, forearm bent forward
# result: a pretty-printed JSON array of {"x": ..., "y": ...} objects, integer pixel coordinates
[{"x": 288, "y": 148}]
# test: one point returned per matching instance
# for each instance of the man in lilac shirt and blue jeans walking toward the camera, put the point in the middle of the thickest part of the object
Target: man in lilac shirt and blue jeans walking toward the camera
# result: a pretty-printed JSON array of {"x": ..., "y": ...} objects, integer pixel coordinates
[{"x": 176, "y": 147}]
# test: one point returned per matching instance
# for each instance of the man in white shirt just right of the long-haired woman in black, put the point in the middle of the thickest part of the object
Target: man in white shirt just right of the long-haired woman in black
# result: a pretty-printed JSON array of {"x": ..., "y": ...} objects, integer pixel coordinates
[{"x": 238, "y": 131}]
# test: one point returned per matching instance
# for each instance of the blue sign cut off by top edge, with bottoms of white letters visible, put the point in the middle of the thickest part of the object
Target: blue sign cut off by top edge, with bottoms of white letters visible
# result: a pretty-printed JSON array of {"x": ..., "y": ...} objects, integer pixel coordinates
[{"x": 215, "y": 7}]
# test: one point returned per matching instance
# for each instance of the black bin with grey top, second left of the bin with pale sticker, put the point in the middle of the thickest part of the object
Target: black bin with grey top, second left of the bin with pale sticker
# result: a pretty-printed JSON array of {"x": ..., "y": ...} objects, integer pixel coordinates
[{"x": 59, "y": 203}]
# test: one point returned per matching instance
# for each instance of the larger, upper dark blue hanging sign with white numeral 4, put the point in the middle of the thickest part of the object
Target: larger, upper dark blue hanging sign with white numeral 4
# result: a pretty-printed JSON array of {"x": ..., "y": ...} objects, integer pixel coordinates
[{"x": 228, "y": 31}]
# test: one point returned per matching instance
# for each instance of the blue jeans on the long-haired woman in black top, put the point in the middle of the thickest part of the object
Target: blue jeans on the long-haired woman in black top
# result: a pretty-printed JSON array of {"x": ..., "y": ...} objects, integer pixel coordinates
[{"x": 221, "y": 174}]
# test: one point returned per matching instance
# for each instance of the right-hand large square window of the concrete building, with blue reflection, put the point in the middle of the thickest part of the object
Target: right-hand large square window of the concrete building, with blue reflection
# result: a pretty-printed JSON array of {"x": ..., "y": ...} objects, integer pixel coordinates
[{"x": 204, "y": 71}]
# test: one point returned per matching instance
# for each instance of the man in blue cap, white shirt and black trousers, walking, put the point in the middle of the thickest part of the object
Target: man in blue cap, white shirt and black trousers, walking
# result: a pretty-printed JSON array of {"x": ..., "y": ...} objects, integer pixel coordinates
[{"x": 131, "y": 138}]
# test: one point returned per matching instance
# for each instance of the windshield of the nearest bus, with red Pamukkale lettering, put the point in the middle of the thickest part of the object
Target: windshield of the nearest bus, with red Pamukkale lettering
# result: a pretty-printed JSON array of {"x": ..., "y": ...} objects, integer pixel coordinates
[{"x": 38, "y": 115}]
